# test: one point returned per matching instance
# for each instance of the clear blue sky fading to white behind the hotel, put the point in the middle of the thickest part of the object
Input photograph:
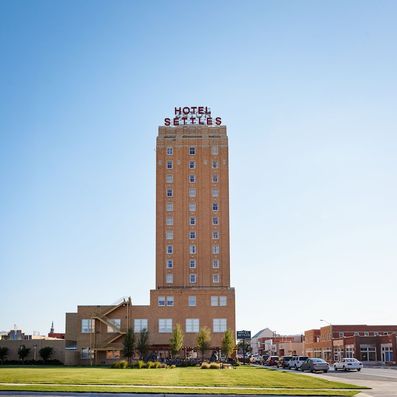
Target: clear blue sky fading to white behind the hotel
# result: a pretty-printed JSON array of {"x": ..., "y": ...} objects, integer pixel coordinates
[{"x": 308, "y": 92}]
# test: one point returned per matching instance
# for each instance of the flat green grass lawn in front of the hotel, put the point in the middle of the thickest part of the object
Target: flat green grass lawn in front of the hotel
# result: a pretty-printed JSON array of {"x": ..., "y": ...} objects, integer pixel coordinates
[{"x": 243, "y": 380}]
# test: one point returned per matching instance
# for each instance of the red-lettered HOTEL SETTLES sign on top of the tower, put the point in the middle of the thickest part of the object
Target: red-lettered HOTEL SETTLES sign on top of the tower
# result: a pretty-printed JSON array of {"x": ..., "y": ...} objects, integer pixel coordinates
[{"x": 192, "y": 115}]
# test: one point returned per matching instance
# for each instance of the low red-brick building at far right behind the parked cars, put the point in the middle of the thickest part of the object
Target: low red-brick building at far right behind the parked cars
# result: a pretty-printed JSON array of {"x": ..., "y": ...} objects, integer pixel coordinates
[{"x": 367, "y": 343}]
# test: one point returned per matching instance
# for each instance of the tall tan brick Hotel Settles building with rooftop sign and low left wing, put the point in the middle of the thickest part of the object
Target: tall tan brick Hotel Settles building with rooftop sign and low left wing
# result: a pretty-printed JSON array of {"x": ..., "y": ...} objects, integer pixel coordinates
[{"x": 192, "y": 248}]
